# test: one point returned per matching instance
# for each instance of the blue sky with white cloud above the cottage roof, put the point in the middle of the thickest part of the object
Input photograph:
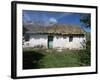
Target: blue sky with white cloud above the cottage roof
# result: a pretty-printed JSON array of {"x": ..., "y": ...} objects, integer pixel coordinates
[{"x": 49, "y": 18}]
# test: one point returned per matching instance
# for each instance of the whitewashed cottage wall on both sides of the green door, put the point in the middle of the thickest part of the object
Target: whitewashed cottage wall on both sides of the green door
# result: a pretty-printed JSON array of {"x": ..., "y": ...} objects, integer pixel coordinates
[{"x": 58, "y": 42}]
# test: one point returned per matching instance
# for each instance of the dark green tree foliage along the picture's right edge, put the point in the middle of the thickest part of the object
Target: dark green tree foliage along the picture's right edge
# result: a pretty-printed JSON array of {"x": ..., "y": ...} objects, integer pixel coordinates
[{"x": 85, "y": 55}]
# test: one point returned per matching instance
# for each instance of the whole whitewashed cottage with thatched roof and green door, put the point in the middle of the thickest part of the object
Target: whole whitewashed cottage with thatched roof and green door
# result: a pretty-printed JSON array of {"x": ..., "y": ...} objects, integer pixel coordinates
[{"x": 57, "y": 36}]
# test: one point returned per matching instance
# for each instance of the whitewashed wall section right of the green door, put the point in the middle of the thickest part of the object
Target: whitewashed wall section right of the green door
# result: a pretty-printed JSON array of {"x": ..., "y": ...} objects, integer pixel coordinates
[{"x": 63, "y": 42}]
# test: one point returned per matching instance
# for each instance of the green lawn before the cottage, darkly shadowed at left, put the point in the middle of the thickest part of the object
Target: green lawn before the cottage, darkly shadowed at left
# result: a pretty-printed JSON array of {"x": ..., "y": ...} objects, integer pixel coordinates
[{"x": 49, "y": 58}]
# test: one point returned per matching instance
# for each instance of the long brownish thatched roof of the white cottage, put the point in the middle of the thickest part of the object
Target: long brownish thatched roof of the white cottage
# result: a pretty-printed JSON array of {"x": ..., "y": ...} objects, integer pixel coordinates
[{"x": 58, "y": 28}]
